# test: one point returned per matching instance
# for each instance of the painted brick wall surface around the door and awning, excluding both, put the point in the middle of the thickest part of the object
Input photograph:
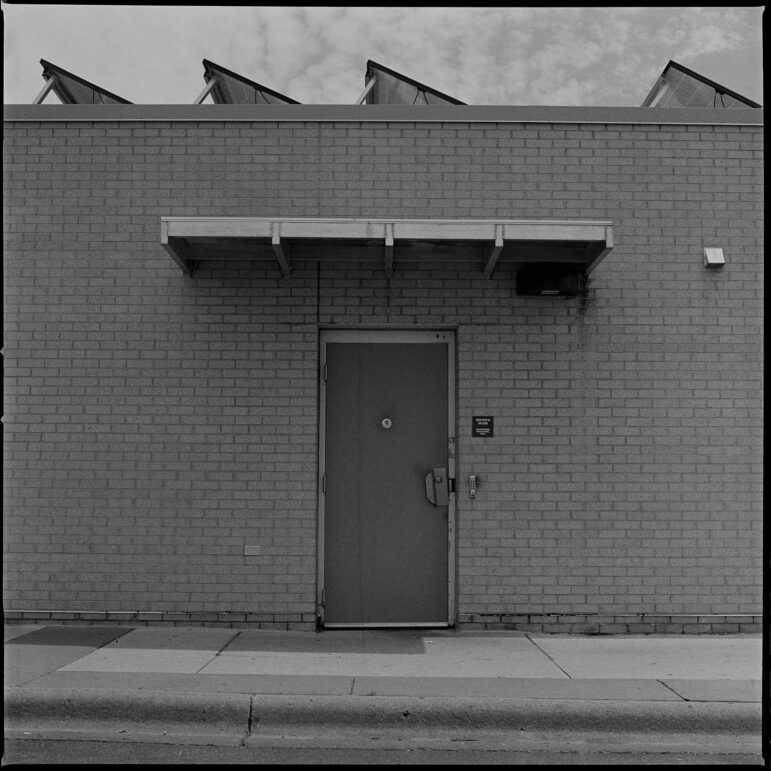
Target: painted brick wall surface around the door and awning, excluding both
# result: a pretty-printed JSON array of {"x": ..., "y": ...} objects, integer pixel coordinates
[{"x": 155, "y": 423}]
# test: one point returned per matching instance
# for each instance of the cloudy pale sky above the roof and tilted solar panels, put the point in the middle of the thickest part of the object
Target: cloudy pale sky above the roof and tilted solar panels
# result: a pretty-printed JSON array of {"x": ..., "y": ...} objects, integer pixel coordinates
[{"x": 593, "y": 56}]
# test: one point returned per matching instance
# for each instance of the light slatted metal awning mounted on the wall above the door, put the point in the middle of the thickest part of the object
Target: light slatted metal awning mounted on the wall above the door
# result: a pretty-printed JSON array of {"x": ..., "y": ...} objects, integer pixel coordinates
[{"x": 488, "y": 244}]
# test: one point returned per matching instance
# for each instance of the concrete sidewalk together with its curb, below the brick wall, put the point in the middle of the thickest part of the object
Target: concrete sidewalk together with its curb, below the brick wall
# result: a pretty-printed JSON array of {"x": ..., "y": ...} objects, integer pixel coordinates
[{"x": 240, "y": 686}]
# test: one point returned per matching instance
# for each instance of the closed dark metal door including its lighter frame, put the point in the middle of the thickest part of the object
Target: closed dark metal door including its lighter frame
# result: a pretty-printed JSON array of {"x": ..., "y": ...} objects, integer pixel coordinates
[{"x": 387, "y": 465}]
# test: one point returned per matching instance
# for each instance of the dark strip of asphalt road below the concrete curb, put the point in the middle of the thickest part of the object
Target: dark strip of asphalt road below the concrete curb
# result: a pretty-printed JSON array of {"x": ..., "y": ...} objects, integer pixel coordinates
[{"x": 37, "y": 751}]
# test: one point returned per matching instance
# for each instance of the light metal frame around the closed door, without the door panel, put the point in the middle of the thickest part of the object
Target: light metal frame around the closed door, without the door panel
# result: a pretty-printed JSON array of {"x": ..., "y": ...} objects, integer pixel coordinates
[{"x": 349, "y": 335}]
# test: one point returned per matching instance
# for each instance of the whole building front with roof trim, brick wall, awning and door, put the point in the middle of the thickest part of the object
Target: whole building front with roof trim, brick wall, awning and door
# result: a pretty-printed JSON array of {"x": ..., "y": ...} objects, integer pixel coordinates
[{"x": 218, "y": 319}]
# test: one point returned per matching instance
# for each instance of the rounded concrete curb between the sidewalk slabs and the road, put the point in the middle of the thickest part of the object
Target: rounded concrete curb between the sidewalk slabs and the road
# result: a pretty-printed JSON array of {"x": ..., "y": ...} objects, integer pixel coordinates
[{"x": 57, "y": 708}]
